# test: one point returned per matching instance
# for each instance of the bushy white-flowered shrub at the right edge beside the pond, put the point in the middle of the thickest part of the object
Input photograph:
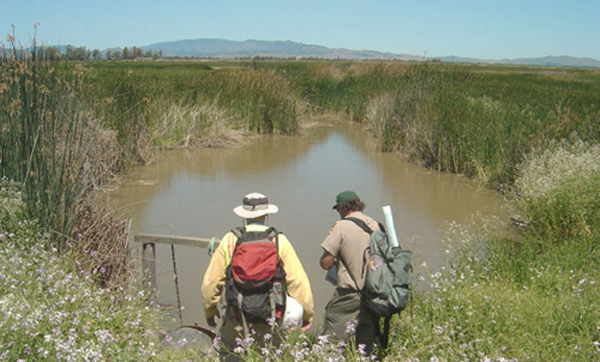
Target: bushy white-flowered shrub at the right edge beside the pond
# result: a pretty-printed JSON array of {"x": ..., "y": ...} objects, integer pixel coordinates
[{"x": 558, "y": 190}]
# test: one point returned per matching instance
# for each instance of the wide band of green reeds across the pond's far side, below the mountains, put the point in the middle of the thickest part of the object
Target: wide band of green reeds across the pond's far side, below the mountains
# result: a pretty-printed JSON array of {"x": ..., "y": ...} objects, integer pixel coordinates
[{"x": 474, "y": 120}]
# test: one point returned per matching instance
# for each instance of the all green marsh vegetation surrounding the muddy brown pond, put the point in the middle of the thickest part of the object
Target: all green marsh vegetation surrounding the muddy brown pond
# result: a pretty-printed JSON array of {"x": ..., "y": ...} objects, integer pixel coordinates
[{"x": 506, "y": 293}]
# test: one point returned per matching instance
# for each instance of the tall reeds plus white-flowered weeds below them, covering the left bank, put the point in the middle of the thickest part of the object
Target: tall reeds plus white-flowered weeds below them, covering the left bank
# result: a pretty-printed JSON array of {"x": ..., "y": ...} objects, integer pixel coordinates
[{"x": 67, "y": 289}]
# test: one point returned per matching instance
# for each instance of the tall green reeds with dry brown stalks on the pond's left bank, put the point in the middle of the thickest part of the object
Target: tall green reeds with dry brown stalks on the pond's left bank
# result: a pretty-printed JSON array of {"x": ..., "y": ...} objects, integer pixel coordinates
[{"x": 56, "y": 147}]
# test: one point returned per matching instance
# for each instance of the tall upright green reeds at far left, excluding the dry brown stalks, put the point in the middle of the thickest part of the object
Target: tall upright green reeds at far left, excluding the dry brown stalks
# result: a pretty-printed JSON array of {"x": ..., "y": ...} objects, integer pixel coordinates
[{"x": 45, "y": 135}]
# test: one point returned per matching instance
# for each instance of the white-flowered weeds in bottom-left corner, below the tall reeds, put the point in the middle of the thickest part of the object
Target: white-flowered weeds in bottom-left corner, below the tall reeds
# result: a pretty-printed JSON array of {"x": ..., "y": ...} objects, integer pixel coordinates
[{"x": 49, "y": 311}]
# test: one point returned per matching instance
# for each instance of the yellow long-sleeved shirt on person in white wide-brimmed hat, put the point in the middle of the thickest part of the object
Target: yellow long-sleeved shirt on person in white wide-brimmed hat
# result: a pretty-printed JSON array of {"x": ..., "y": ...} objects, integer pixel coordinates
[{"x": 296, "y": 281}]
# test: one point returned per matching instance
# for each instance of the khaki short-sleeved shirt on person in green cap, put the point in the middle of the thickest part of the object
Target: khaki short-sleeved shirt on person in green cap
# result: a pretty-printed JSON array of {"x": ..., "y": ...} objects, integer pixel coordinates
[{"x": 349, "y": 242}]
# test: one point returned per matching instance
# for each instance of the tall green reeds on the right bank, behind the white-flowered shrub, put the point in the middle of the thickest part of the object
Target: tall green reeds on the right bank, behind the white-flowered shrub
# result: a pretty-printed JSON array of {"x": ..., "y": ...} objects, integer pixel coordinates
[{"x": 455, "y": 120}]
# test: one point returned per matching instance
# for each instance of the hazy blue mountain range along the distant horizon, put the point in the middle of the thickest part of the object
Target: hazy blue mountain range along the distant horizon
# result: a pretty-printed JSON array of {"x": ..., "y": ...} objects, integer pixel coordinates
[{"x": 220, "y": 48}]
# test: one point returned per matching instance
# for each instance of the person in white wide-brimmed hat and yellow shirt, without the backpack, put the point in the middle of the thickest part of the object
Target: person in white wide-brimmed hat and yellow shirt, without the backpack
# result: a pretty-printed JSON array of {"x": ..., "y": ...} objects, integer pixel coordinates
[{"x": 254, "y": 210}]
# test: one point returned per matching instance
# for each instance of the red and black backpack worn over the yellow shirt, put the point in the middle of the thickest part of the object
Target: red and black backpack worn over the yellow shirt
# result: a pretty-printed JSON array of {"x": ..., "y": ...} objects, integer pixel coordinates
[{"x": 255, "y": 279}]
